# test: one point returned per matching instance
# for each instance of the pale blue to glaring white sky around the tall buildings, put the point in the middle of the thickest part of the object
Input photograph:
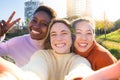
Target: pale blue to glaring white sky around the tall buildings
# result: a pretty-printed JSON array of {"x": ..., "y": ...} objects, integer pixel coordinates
[{"x": 98, "y": 8}]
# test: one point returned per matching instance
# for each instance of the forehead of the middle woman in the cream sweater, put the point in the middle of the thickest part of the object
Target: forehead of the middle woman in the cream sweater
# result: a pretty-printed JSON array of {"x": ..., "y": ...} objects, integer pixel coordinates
[{"x": 59, "y": 27}]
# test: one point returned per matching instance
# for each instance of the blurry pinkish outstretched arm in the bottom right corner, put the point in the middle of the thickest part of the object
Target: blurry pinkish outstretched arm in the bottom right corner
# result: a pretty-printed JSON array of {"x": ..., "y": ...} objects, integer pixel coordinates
[{"x": 111, "y": 72}]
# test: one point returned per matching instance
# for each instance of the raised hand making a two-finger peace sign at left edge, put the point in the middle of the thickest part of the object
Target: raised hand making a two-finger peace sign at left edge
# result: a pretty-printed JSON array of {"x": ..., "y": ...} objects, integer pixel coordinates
[{"x": 5, "y": 26}]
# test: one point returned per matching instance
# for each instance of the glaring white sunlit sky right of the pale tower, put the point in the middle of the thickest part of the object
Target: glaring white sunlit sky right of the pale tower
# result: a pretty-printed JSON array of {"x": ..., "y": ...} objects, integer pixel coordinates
[{"x": 109, "y": 7}]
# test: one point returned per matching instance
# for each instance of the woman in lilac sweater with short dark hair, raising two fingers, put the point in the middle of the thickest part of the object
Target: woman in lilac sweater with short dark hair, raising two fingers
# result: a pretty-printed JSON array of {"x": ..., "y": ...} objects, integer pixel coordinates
[{"x": 21, "y": 48}]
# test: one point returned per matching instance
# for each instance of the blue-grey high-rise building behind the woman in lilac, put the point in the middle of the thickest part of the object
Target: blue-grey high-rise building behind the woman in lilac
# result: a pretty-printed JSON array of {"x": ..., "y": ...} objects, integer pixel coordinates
[{"x": 30, "y": 7}]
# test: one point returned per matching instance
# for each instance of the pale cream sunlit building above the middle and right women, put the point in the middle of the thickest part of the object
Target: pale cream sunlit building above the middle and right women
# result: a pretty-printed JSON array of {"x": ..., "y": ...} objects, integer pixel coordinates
[{"x": 78, "y": 8}]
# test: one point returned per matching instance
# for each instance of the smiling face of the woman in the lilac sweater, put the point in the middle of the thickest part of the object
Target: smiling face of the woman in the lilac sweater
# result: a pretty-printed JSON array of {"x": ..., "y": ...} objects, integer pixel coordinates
[{"x": 39, "y": 25}]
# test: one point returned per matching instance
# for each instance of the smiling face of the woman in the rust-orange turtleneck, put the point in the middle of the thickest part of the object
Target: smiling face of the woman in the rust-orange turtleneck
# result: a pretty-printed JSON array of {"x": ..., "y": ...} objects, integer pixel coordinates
[{"x": 84, "y": 36}]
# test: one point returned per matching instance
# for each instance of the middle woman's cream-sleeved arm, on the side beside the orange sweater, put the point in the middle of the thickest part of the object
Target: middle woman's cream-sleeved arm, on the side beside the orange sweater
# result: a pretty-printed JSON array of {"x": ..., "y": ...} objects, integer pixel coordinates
[{"x": 80, "y": 69}]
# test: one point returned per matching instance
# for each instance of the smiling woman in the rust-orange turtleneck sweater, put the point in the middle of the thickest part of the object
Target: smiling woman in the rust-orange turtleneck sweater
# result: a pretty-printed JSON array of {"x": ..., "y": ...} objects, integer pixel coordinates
[{"x": 86, "y": 45}]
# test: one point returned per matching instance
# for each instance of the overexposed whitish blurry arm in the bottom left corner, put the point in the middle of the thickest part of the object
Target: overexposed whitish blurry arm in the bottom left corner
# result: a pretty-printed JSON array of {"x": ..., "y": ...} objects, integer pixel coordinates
[{"x": 9, "y": 71}]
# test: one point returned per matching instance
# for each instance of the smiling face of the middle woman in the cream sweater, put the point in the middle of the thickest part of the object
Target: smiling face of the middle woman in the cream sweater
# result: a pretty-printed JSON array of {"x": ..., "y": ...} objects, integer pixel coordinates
[{"x": 60, "y": 37}]
